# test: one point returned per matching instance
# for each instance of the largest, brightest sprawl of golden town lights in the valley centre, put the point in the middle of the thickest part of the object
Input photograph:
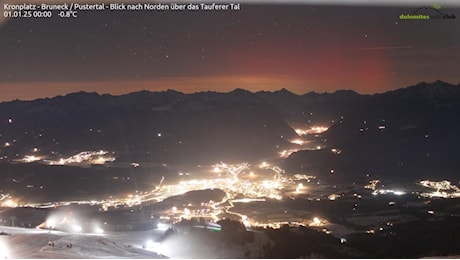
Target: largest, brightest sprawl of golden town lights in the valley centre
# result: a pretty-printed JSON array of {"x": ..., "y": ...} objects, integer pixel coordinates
[{"x": 241, "y": 183}]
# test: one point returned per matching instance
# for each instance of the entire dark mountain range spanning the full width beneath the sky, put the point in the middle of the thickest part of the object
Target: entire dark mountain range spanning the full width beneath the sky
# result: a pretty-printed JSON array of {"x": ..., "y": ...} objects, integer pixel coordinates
[{"x": 409, "y": 132}]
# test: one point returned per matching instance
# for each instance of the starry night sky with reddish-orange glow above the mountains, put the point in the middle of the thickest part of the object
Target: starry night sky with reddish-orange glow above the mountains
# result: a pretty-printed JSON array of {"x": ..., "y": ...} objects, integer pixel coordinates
[{"x": 300, "y": 47}]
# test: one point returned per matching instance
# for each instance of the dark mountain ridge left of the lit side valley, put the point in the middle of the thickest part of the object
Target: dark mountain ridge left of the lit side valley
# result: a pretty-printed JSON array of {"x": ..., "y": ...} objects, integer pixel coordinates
[{"x": 164, "y": 126}]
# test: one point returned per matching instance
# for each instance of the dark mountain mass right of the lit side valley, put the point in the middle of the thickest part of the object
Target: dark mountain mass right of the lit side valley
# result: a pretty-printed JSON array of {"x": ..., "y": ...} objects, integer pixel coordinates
[{"x": 406, "y": 133}]
